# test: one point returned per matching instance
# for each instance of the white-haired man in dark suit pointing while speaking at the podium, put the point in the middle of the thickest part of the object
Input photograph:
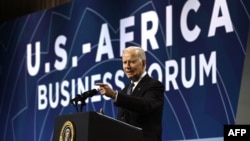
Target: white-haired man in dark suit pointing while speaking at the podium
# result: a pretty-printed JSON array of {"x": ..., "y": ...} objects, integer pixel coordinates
[{"x": 143, "y": 107}]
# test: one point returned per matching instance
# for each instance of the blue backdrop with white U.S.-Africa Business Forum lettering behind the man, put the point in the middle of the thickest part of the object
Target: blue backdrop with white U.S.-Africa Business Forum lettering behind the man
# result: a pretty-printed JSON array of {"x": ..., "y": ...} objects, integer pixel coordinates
[{"x": 196, "y": 48}]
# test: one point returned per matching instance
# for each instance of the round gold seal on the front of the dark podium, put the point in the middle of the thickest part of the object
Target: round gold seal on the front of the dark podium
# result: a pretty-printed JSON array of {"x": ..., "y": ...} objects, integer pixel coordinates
[{"x": 67, "y": 132}]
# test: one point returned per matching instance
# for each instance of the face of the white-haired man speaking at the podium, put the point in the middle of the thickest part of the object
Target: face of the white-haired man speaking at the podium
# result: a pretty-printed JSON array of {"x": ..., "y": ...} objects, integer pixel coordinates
[{"x": 133, "y": 66}]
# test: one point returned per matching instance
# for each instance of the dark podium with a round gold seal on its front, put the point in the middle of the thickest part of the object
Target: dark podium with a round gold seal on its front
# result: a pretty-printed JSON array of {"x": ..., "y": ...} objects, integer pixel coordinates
[{"x": 92, "y": 126}]
